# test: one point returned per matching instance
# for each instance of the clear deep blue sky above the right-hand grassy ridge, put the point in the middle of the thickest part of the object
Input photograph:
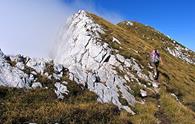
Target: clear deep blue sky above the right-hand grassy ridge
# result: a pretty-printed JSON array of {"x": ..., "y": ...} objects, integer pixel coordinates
[{"x": 175, "y": 18}]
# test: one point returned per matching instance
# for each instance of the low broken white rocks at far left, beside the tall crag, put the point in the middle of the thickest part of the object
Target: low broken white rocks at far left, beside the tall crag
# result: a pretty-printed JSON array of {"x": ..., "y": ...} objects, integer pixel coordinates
[{"x": 23, "y": 72}]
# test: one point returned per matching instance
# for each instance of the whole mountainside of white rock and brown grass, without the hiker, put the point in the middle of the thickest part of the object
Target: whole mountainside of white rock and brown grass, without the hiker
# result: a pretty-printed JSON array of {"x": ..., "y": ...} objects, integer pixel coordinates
[{"x": 97, "y": 62}]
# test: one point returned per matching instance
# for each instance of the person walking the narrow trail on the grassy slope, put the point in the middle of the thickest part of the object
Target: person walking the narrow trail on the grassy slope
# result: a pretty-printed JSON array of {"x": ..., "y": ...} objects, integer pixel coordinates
[{"x": 155, "y": 61}]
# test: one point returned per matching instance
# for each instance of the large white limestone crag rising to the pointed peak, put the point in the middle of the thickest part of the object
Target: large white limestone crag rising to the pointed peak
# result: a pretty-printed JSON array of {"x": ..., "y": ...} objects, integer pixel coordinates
[{"x": 91, "y": 61}]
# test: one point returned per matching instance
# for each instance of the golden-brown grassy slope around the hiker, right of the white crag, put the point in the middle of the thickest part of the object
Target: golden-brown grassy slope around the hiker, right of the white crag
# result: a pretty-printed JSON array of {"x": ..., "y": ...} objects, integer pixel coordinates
[{"x": 176, "y": 76}]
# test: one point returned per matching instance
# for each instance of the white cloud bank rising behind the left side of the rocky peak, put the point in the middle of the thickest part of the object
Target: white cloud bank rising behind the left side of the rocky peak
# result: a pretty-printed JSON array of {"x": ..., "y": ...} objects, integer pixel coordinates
[{"x": 30, "y": 27}]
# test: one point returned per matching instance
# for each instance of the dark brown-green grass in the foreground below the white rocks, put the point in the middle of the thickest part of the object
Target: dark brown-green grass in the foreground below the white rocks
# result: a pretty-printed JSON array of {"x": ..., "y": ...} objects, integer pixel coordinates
[{"x": 42, "y": 106}]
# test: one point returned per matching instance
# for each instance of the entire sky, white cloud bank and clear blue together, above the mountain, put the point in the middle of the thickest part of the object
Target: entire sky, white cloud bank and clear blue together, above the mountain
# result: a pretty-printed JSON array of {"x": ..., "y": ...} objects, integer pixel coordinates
[{"x": 30, "y": 27}]
